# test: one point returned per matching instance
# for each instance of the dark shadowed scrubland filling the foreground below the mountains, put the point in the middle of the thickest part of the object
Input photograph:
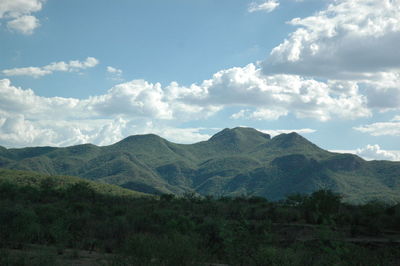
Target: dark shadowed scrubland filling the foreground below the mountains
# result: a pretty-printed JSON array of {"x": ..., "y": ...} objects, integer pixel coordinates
[{"x": 315, "y": 229}]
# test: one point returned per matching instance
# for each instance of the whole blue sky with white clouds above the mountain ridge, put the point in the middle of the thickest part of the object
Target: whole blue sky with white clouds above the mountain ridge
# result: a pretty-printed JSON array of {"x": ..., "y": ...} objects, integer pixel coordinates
[{"x": 74, "y": 71}]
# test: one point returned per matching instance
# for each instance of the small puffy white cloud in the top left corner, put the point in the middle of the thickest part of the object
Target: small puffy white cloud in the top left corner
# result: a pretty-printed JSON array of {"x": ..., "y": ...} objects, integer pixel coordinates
[{"x": 18, "y": 14}]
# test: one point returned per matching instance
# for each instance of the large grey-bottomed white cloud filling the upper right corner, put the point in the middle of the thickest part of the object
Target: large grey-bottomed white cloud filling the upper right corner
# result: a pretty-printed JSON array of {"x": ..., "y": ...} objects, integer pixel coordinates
[{"x": 348, "y": 40}]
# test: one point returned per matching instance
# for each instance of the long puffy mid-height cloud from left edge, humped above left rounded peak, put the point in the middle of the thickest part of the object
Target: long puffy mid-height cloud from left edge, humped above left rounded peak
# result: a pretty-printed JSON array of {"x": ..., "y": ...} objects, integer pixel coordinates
[{"x": 135, "y": 99}]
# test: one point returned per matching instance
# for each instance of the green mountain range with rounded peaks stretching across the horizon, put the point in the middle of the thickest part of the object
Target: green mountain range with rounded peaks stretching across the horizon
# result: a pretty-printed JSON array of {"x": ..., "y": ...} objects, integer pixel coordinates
[{"x": 238, "y": 161}]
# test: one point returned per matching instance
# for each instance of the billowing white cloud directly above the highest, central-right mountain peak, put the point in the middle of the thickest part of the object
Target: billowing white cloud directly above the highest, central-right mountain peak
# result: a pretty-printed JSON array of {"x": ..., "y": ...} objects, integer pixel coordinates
[{"x": 278, "y": 95}]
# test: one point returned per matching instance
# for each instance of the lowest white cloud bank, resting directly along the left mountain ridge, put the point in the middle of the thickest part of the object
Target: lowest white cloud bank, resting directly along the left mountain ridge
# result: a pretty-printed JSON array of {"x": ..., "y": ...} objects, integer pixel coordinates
[{"x": 17, "y": 131}]
